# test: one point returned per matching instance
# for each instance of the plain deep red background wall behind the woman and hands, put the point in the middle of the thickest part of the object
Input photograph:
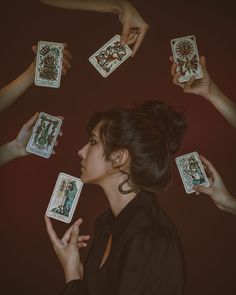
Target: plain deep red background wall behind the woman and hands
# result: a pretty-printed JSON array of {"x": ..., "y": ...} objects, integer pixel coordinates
[{"x": 208, "y": 234}]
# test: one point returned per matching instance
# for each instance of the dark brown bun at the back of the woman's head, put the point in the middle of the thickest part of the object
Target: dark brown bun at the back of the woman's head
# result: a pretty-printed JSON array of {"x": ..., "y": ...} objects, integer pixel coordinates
[{"x": 169, "y": 121}]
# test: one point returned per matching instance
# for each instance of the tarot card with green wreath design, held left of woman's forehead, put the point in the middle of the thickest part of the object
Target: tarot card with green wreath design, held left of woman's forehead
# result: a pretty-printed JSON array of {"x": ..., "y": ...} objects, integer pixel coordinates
[{"x": 44, "y": 134}]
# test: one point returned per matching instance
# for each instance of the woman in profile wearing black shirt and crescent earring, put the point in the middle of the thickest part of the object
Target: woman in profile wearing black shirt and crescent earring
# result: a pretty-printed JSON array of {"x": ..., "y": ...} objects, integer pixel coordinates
[{"x": 136, "y": 248}]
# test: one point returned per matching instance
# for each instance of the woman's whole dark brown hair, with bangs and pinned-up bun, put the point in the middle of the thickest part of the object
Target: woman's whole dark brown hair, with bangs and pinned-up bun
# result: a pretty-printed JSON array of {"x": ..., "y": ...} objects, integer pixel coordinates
[{"x": 151, "y": 133}]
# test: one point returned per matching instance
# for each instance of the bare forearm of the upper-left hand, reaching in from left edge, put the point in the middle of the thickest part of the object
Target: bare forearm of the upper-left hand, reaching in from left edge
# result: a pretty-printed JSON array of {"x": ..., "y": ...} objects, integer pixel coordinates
[{"x": 13, "y": 90}]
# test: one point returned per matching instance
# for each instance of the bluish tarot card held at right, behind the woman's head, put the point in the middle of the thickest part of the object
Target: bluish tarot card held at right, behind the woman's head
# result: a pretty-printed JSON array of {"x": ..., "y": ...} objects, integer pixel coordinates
[{"x": 191, "y": 171}]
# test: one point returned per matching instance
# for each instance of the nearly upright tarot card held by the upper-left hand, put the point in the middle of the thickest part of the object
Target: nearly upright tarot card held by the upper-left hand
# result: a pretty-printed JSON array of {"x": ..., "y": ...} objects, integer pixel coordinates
[{"x": 48, "y": 64}]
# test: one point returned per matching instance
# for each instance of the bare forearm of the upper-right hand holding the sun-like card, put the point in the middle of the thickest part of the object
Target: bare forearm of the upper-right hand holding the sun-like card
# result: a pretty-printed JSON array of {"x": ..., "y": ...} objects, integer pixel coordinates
[{"x": 223, "y": 104}]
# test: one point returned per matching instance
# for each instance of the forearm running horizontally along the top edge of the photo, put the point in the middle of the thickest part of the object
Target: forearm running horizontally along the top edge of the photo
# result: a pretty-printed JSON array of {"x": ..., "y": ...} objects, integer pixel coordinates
[{"x": 110, "y": 6}]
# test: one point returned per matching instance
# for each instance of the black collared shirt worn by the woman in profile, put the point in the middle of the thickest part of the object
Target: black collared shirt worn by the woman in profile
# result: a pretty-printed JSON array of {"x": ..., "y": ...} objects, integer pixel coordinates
[{"x": 145, "y": 256}]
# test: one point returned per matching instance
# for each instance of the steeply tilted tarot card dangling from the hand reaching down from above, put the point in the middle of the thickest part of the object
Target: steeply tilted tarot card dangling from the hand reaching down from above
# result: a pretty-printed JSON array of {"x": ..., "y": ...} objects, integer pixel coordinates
[{"x": 110, "y": 56}]
